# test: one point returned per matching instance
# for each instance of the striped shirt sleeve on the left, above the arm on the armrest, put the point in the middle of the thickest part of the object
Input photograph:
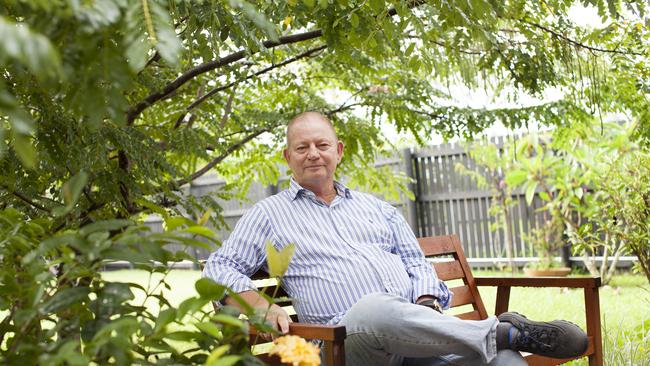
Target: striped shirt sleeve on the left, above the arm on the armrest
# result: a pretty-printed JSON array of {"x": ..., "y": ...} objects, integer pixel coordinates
[{"x": 242, "y": 254}]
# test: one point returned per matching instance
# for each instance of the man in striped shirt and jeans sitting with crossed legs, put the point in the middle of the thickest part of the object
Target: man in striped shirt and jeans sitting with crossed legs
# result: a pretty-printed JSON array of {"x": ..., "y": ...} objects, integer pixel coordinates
[{"x": 357, "y": 263}]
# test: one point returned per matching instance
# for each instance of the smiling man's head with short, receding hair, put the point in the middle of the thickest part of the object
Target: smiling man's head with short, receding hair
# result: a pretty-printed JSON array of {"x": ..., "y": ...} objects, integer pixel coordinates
[{"x": 313, "y": 151}]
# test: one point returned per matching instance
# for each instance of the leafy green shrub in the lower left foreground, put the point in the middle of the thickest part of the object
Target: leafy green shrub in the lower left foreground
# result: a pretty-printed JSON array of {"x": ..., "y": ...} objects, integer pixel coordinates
[{"x": 58, "y": 310}]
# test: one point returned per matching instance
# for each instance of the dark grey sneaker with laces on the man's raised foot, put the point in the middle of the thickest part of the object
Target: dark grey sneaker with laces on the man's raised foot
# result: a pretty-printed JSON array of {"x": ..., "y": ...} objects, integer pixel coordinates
[{"x": 557, "y": 339}]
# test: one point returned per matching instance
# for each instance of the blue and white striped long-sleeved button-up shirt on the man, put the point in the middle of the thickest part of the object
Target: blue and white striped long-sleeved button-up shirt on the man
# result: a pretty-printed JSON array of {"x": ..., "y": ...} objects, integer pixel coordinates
[{"x": 355, "y": 246}]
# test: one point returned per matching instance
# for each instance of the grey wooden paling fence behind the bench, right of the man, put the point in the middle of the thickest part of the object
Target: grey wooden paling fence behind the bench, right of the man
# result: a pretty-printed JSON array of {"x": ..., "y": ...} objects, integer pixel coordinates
[{"x": 450, "y": 202}]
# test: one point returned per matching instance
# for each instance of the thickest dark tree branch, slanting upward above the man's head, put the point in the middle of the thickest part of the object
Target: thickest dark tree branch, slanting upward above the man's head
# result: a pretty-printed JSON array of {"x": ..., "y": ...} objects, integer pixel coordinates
[{"x": 135, "y": 111}]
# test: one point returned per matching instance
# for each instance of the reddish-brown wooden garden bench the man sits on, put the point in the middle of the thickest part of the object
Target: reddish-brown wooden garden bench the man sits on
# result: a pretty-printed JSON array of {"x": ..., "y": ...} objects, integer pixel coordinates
[{"x": 451, "y": 264}]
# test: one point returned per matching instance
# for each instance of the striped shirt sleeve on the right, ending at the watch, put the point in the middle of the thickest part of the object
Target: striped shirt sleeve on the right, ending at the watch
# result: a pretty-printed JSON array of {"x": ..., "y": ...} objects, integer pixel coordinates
[{"x": 423, "y": 276}]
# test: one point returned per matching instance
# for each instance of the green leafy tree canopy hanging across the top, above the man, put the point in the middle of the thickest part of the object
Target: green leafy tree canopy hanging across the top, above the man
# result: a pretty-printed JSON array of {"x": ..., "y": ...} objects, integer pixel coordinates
[{"x": 108, "y": 107}]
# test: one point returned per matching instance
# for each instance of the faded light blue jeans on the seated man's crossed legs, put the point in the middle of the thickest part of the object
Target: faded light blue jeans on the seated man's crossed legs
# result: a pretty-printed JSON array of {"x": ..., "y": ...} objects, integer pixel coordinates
[{"x": 384, "y": 329}]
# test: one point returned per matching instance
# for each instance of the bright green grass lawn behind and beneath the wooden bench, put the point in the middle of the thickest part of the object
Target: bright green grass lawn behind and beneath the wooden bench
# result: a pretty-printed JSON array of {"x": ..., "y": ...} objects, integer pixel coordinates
[{"x": 625, "y": 307}]
